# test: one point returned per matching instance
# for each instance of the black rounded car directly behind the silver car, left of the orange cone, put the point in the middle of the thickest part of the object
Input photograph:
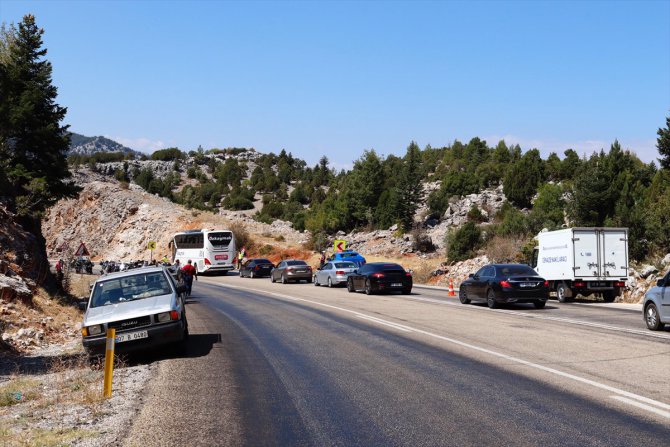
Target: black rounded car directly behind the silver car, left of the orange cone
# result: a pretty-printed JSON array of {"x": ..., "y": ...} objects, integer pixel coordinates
[{"x": 377, "y": 277}]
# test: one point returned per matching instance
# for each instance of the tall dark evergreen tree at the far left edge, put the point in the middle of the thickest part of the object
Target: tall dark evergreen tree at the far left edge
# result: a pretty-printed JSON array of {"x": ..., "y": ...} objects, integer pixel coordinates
[{"x": 33, "y": 143}]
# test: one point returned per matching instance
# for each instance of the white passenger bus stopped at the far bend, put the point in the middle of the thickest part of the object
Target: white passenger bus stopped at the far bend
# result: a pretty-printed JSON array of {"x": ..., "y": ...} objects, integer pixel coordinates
[{"x": 210, "y": 250}]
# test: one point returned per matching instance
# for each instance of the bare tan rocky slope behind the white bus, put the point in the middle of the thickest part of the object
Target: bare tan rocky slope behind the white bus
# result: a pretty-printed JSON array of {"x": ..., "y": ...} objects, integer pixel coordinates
[{"x": 117, "y": 223}]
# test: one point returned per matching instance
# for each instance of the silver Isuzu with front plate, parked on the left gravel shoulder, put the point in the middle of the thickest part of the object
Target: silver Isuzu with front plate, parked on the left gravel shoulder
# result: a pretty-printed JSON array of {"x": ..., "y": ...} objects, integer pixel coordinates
[{"x": 145, "y": 306}]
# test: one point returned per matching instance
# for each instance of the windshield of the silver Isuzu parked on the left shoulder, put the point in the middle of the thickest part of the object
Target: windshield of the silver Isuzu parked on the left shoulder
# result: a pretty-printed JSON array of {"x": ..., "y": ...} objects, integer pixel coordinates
[{"x": 129, "y": 288}]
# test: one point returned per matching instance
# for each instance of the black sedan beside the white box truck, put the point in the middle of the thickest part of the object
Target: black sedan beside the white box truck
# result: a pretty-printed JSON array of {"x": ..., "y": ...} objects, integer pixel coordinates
[{"x": 505, "y": 283}]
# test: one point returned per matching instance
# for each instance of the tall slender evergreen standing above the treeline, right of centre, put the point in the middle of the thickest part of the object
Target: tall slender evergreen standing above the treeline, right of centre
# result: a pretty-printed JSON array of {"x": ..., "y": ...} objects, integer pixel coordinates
[{"x": 409, "y": 187}]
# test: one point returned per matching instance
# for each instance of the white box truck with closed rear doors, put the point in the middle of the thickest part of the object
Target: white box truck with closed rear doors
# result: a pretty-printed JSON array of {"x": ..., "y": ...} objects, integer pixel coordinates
[{"x": 583, "y": 261}]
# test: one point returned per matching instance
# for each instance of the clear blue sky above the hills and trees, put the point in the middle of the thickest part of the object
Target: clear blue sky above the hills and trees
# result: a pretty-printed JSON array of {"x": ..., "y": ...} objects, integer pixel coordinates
[{"x": 337, "y": 78}]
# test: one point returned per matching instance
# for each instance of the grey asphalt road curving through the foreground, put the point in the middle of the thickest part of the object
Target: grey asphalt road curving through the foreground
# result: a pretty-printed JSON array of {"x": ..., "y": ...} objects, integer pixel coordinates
[{"x": 272, "y": 364}]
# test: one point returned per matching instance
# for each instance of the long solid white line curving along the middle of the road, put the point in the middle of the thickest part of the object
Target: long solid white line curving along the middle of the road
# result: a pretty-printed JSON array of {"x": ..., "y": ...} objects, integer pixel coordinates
[{"x": 619, "y": 392}]
